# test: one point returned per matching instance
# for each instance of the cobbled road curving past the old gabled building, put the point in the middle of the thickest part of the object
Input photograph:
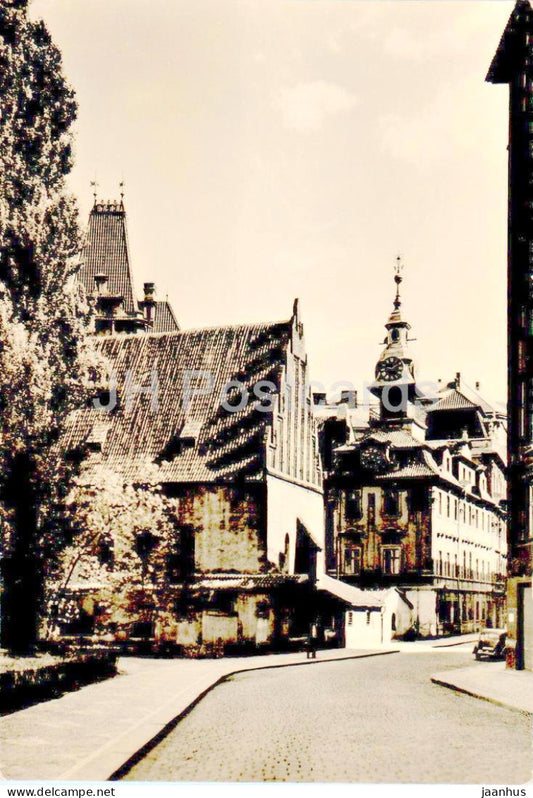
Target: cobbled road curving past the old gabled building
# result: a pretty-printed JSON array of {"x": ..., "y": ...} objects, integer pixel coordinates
[{"x": 368, "y": 720}]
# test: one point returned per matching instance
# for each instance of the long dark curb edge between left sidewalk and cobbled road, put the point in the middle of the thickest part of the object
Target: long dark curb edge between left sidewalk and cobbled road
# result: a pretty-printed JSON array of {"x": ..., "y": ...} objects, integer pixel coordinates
[{"x": 145, "y": 749}]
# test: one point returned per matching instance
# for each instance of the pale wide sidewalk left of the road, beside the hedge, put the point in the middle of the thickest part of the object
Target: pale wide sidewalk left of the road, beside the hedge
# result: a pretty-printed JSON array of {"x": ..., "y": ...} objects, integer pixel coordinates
[{"x": 91, "y": 733}]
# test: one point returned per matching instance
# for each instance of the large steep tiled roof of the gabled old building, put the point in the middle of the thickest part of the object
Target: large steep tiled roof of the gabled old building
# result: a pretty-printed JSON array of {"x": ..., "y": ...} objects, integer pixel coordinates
[{"x": 148, "y": 427}]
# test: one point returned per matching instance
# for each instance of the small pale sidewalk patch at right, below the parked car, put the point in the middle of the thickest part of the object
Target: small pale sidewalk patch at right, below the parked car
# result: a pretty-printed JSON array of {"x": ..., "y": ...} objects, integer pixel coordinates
[{"x": 492, "y": 682}]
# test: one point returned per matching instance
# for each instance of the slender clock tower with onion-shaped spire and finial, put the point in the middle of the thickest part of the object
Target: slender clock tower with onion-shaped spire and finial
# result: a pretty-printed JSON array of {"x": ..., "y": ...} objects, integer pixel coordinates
[{"x": 395, "y": 383}]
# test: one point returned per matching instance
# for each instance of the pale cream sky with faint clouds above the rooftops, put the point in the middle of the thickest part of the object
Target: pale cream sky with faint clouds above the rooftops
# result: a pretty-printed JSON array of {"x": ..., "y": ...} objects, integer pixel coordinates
[{"x": 293, "y": 148}]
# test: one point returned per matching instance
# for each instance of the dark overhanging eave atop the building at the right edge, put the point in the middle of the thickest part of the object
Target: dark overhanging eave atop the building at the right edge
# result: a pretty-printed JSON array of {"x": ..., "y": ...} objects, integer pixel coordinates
[{"x": 514, "y": 51}]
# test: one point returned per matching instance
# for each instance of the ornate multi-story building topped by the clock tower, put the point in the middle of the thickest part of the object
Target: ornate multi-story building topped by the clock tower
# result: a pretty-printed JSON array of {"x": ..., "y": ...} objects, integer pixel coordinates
[{"x": 414, "y": 496}]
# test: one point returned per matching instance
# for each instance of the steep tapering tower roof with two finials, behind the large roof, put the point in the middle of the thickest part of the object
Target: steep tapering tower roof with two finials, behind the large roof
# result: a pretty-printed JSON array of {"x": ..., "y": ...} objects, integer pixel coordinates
[{"x": 106, "y": 252}]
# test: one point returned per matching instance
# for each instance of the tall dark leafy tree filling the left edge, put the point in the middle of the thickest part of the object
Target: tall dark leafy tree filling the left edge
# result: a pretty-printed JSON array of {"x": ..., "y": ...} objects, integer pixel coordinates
[{"x": 46, "y": 359}]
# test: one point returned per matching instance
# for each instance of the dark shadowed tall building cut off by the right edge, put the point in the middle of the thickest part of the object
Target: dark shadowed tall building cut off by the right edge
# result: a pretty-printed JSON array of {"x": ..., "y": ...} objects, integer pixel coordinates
[{"x": 513, "y": 65}]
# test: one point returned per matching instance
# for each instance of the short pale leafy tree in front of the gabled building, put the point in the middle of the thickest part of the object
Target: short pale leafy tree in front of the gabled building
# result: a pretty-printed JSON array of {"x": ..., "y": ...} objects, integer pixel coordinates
[{"x": 124, "y": 538}]
